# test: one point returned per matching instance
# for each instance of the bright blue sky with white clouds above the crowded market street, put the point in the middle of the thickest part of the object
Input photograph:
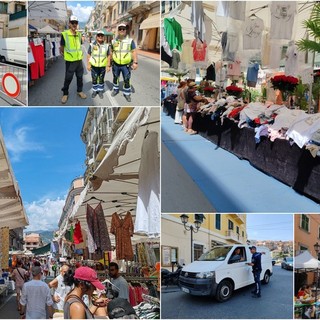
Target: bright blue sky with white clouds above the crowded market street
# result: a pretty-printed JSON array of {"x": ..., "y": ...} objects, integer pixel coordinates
[{"x": 46, "y": 153}]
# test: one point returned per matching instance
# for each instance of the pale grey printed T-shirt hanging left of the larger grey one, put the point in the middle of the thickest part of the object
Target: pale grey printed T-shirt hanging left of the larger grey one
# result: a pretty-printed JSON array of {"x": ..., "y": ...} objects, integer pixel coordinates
[{"x": 252, "y": 33}]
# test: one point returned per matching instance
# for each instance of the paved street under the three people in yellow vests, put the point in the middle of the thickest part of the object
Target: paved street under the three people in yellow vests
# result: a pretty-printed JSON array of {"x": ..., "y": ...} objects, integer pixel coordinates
[{"x": 145, "y": 86}]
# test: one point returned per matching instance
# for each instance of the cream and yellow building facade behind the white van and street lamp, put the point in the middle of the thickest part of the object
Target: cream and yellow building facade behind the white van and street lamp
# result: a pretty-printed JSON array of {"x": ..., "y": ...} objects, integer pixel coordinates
[{"x": 216, "y": 229}]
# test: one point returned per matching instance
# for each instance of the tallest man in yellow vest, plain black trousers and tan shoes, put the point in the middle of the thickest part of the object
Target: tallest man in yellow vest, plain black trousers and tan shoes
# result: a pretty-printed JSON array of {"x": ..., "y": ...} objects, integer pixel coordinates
[{"x": 70, "y": 48}]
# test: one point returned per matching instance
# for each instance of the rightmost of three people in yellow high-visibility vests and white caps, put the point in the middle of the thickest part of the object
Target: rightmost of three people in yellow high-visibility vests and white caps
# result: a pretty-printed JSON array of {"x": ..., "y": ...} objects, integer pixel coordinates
[{"x": 123, "y": 55}]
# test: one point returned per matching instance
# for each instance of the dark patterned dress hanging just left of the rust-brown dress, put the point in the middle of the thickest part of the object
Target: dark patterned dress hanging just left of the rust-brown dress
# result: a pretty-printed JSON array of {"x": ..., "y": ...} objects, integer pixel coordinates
[{"x": 98, "y": 227}]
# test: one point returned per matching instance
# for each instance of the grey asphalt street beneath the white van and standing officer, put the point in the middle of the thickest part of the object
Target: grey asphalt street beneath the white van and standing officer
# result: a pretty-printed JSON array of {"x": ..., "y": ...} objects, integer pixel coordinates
[{"x": 276, "y": 302}]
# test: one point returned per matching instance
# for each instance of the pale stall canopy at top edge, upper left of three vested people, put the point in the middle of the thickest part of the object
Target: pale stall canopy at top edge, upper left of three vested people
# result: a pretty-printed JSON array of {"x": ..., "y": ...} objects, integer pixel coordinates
[{"x": 47, "y": 10}]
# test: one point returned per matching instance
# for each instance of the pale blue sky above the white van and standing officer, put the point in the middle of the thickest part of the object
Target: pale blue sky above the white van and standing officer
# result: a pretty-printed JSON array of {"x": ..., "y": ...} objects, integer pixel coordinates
[{"x": 270, "y": 226}]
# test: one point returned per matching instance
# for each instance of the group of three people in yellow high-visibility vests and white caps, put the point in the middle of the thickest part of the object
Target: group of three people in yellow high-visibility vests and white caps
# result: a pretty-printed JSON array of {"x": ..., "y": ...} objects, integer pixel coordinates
[{"x": 120, "y": 56}]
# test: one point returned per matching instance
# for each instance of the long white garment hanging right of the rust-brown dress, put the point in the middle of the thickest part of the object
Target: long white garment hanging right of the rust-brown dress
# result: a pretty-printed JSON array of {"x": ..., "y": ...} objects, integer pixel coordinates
[{"x": 148, "y": 203}]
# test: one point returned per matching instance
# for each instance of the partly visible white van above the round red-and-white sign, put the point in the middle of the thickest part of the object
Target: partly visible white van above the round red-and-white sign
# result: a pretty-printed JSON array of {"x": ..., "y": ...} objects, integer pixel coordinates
[{"x": 14, "y": 50}]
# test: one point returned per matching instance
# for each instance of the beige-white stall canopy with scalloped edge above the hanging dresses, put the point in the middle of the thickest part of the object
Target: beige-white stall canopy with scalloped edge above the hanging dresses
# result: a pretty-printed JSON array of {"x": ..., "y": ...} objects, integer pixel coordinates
[{"x": 122, "y": 160}]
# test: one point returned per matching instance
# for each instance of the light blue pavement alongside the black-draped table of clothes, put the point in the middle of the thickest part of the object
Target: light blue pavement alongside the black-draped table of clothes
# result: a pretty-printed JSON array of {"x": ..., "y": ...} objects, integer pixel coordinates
[{"x": 229, "y": 184}]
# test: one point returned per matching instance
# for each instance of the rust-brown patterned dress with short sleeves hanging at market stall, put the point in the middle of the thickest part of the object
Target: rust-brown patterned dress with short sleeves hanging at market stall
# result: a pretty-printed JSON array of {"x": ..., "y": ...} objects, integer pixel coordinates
[{"x": 123, "y": 230}]
